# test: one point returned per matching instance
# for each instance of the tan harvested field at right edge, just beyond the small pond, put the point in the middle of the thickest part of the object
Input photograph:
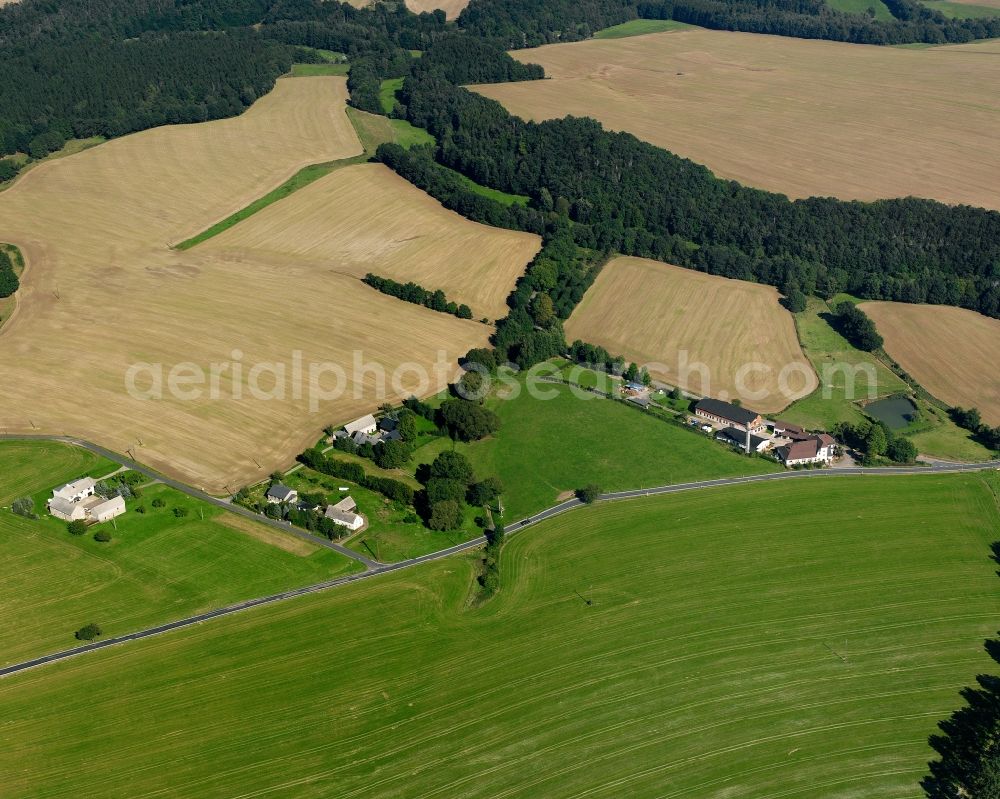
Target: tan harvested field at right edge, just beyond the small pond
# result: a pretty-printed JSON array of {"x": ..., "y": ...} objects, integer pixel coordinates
[{"x": 952, "y": 352}]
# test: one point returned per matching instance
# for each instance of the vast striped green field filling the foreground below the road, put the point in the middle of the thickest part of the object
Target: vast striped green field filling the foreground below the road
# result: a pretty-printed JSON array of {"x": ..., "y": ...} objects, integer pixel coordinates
[{"x": 796, "y": 640}]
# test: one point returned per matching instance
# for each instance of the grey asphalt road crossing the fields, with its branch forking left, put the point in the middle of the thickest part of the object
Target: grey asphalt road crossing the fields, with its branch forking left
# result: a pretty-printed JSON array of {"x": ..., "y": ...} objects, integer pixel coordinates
[{"x": 374, "y": 568}]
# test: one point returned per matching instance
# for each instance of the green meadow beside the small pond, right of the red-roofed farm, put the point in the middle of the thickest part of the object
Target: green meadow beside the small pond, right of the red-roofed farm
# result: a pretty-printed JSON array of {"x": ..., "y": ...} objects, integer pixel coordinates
[{"x": 835, "y": 360}]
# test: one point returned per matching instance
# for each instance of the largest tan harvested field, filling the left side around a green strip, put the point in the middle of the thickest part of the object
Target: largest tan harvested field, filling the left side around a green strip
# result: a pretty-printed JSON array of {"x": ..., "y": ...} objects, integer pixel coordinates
[{"x": 103, "y": 292}]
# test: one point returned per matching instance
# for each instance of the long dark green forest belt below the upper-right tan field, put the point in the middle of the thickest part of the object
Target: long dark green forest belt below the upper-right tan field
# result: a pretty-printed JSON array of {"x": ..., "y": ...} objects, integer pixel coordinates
[{"x": 624, "y": 195}]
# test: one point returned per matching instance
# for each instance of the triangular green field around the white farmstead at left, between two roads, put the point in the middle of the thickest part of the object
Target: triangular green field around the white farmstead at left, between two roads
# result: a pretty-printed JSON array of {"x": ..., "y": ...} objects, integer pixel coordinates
[{"x": 157, "y": 567}]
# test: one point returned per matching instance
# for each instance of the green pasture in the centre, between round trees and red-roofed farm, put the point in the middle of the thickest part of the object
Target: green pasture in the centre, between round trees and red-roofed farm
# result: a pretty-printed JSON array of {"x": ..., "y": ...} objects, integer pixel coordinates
[{"x": 548, "y": 447}]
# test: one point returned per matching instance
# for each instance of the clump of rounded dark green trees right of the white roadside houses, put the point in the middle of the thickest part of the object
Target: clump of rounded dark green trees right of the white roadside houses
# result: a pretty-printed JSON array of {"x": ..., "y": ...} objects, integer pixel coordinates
[{"x": 449, "y": 484}]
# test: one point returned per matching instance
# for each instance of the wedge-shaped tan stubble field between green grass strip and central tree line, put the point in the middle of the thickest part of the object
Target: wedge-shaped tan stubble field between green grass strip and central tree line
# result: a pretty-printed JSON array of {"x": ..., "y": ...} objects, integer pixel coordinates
[{"x": 366, "y": 218}]
